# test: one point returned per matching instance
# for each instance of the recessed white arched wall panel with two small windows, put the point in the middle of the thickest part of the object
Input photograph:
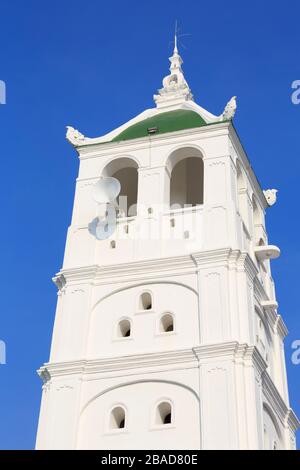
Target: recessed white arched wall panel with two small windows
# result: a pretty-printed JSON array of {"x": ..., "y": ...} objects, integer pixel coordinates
[{"x": 140, "y": 401}]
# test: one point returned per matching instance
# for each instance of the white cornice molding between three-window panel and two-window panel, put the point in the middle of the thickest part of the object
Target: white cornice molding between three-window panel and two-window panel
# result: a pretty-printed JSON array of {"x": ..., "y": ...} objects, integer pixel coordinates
[{"x": 186, "y": 358}]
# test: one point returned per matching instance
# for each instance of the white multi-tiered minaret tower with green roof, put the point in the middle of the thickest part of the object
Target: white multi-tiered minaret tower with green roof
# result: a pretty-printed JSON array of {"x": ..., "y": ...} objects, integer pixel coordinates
[{"x": 167, "y": 333}]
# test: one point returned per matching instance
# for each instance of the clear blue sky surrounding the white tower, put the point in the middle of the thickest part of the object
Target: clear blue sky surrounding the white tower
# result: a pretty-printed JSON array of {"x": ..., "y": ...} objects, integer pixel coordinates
[{"x": 94, "y": 65}]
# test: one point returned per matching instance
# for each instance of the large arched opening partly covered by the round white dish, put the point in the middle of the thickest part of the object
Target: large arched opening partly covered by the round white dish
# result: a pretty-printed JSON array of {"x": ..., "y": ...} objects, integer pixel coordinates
[{"x": 126, "y": 171}]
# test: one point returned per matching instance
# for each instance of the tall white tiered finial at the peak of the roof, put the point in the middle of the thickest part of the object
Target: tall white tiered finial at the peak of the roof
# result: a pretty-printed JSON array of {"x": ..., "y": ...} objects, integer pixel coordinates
[{"x": 175, "y": 88}]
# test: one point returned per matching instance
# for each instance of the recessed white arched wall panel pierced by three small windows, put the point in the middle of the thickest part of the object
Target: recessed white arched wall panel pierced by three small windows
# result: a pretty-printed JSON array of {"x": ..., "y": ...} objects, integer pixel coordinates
[{"x": 173, "y": 298}]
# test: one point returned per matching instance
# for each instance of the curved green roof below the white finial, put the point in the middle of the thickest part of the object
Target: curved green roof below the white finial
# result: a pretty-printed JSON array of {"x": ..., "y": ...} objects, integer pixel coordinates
[{"x": 170, "y": 121}]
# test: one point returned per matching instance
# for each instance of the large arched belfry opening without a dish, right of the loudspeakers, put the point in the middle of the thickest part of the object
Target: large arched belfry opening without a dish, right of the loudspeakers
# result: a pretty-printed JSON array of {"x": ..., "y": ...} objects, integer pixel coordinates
[{"x": 187, "y": 177}]
